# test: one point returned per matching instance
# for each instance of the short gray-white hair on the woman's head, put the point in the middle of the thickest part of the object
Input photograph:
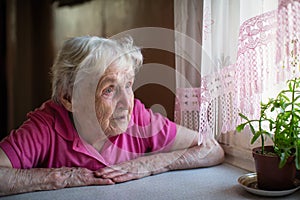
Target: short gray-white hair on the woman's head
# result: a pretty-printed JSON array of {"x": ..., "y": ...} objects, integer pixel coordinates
[{"x": 90, "y": 54}]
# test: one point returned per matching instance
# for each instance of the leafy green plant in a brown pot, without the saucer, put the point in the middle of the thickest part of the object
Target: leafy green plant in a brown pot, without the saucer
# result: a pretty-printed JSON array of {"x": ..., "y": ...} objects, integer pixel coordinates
[{"x": 279, "y": 120}]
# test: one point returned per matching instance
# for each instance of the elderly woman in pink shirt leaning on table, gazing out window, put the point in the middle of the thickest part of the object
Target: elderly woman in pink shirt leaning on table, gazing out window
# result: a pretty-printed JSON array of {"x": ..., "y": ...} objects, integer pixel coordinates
[{"x": 93, "y": 131}]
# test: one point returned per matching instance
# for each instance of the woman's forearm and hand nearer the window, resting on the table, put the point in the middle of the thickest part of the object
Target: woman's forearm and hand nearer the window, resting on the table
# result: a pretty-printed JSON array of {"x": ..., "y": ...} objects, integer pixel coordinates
[{"x": 209, "y": 153}]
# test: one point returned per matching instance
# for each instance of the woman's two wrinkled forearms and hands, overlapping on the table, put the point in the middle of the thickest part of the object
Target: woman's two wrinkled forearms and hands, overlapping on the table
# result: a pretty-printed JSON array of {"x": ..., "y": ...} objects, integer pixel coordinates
[{"x": 15, "y": 181}]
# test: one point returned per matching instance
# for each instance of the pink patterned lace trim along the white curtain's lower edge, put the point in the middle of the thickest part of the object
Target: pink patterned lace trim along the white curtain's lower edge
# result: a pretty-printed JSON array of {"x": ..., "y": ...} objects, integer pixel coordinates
[{"x": 214, "y": 107}]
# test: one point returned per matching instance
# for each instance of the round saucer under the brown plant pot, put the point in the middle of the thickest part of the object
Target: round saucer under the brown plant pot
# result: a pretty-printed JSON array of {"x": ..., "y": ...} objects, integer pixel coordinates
[{"x": 249, "y": 183}]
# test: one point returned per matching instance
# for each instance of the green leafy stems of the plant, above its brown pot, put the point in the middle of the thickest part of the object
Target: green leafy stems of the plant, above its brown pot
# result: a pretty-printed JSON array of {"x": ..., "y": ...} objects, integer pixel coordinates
[{"x": 284, "y": 125}]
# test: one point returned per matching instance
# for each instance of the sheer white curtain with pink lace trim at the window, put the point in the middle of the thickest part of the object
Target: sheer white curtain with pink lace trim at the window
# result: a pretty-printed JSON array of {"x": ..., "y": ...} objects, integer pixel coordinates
[{"x": 229, "y": 58}]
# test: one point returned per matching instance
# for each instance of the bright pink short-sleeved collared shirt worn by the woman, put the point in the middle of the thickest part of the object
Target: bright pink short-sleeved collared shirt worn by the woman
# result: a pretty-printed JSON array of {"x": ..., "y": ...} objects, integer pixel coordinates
[{"x": 49, "y": 139}]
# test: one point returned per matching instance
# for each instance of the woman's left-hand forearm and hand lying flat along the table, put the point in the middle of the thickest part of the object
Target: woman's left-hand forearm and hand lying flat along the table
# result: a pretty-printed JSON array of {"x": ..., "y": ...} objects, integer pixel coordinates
[{"x": 14, "y": 181}]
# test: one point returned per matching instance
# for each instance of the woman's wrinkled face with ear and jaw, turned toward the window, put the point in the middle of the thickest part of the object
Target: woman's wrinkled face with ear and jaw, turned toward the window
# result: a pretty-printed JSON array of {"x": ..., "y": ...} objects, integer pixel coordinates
[{"x": 111, "y": 101}]
